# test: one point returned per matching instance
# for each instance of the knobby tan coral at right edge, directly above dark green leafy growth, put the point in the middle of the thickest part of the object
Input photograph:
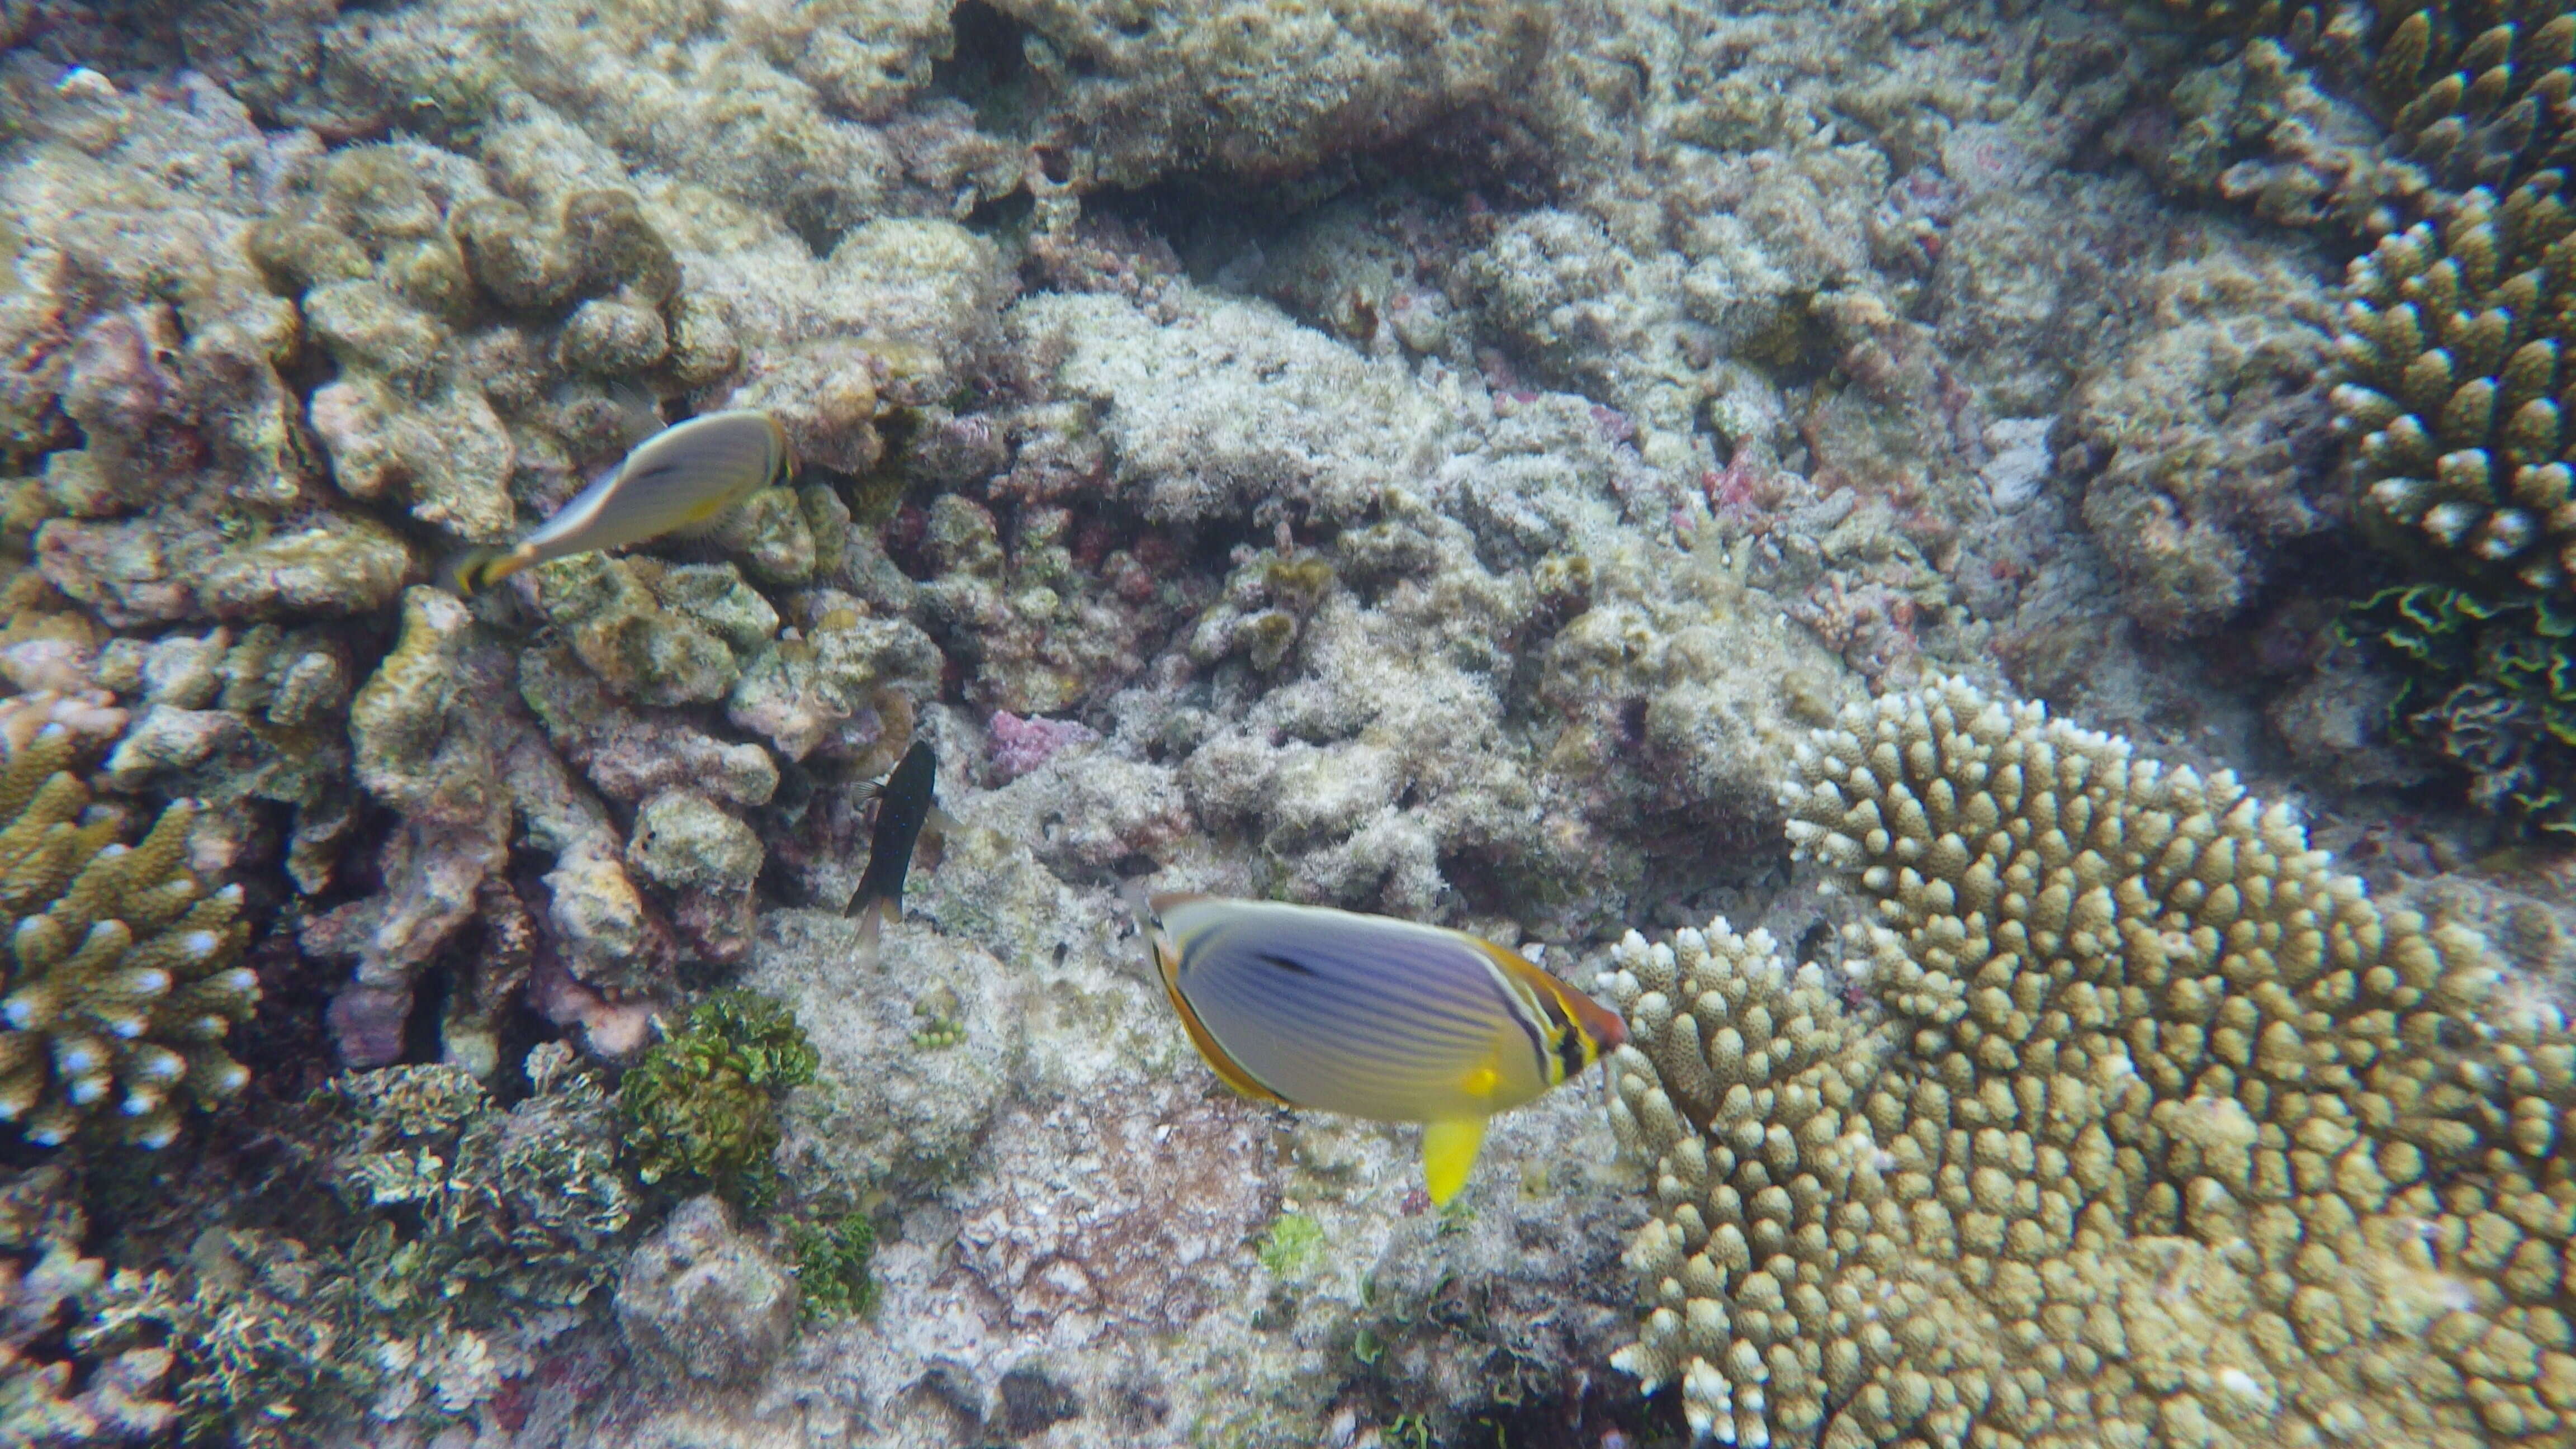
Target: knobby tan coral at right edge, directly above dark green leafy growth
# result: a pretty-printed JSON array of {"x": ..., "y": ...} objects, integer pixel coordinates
[{"x": 2454, "y": 342}]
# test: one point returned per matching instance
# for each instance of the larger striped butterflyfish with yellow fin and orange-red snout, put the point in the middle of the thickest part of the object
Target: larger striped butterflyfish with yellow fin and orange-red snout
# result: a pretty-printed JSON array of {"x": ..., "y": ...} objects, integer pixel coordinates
[{"x": 1374, "y": 1017}]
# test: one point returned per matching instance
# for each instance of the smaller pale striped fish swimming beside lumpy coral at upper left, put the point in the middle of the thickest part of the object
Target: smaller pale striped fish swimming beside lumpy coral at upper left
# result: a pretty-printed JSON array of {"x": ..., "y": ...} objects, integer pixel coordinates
[{"x": 679, "y": 481}]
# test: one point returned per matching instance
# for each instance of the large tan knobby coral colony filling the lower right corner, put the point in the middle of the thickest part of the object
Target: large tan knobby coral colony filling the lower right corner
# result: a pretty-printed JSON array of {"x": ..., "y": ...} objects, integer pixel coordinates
[{"x": 2139, "y": 1128}]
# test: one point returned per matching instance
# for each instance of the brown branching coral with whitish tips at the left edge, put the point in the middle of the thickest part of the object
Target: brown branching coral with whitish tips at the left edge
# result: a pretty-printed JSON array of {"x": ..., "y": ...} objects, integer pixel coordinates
[{"x": 120, "y": 981}]
